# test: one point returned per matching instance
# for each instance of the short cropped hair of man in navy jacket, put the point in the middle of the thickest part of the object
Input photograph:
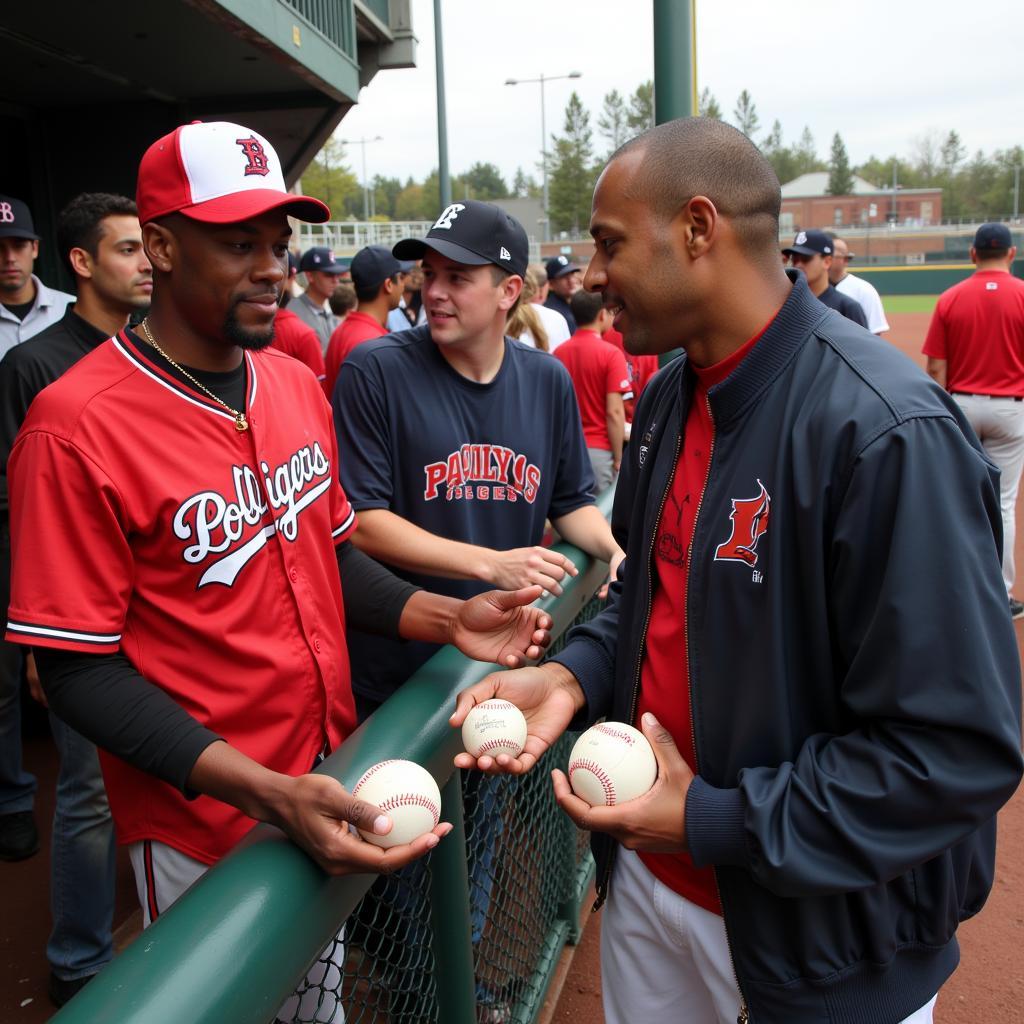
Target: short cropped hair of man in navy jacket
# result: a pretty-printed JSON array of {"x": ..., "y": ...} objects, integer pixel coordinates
[{"x": 704, "y": 157}]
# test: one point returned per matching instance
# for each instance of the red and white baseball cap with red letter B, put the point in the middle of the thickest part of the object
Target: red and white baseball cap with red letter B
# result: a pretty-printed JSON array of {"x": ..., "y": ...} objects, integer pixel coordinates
[{"x": 220, "y": 174}]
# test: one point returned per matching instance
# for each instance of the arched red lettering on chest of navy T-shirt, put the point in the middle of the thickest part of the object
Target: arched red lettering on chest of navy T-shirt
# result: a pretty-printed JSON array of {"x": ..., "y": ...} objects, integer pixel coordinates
[{"x": 483, "y": 473}]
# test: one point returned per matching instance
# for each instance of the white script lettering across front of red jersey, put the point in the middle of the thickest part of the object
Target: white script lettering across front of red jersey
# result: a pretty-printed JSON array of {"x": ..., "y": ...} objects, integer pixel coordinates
[{"x": 217, "y": 525}]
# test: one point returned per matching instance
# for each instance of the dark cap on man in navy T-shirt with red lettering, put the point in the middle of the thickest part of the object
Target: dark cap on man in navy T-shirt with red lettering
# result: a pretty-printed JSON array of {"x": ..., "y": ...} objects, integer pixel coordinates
[{"x": 475, "y": 234}]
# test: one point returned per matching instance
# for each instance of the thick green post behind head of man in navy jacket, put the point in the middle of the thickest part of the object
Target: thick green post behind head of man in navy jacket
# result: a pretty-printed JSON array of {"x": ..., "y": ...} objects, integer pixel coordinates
[{"x": 675, "y": 74}]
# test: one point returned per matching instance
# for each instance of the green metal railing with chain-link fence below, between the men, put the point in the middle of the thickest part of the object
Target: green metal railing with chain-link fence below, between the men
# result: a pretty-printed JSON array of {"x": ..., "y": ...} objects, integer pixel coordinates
[{"x": 472, "y": 933}]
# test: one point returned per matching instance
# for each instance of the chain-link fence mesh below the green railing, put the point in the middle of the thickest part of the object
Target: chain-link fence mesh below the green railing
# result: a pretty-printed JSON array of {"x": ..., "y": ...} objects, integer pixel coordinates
[{"x": 529, "y": 869}]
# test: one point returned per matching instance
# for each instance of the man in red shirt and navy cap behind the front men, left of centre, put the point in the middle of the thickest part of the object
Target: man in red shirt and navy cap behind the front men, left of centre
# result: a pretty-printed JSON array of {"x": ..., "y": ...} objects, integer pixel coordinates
[{"x": 379, "y": 279}]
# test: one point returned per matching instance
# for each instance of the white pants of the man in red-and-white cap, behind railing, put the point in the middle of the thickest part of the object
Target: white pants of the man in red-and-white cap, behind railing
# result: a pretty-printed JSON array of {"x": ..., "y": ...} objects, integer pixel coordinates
[{"x": 163, "y": 874}]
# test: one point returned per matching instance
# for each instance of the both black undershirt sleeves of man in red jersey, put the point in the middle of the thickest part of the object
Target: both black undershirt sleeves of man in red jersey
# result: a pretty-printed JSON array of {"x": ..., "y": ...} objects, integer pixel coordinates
[{"x": 104, "y": 698}]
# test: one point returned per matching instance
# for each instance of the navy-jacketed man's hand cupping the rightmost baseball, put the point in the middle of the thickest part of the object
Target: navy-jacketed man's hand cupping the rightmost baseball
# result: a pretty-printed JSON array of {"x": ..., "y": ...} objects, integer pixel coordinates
[{"x": 656, "y": 822}]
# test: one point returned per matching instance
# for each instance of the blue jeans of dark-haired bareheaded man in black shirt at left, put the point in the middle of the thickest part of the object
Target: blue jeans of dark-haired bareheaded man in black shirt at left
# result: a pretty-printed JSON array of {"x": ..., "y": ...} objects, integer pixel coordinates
[{"x": 83, "y": 865}]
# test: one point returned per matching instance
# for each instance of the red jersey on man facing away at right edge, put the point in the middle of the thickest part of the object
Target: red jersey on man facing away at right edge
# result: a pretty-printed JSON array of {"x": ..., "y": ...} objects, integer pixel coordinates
[{"x": 978, "y": 329}]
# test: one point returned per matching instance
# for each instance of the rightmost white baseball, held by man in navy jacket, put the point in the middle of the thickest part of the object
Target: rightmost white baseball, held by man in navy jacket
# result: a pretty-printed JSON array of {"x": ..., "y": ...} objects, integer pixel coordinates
[{"x": 611, "y": 764}]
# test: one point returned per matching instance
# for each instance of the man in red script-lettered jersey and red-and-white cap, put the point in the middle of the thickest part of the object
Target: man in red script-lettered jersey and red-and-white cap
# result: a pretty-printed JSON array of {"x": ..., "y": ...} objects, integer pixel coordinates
[{"x": 184, "y": 595}]
